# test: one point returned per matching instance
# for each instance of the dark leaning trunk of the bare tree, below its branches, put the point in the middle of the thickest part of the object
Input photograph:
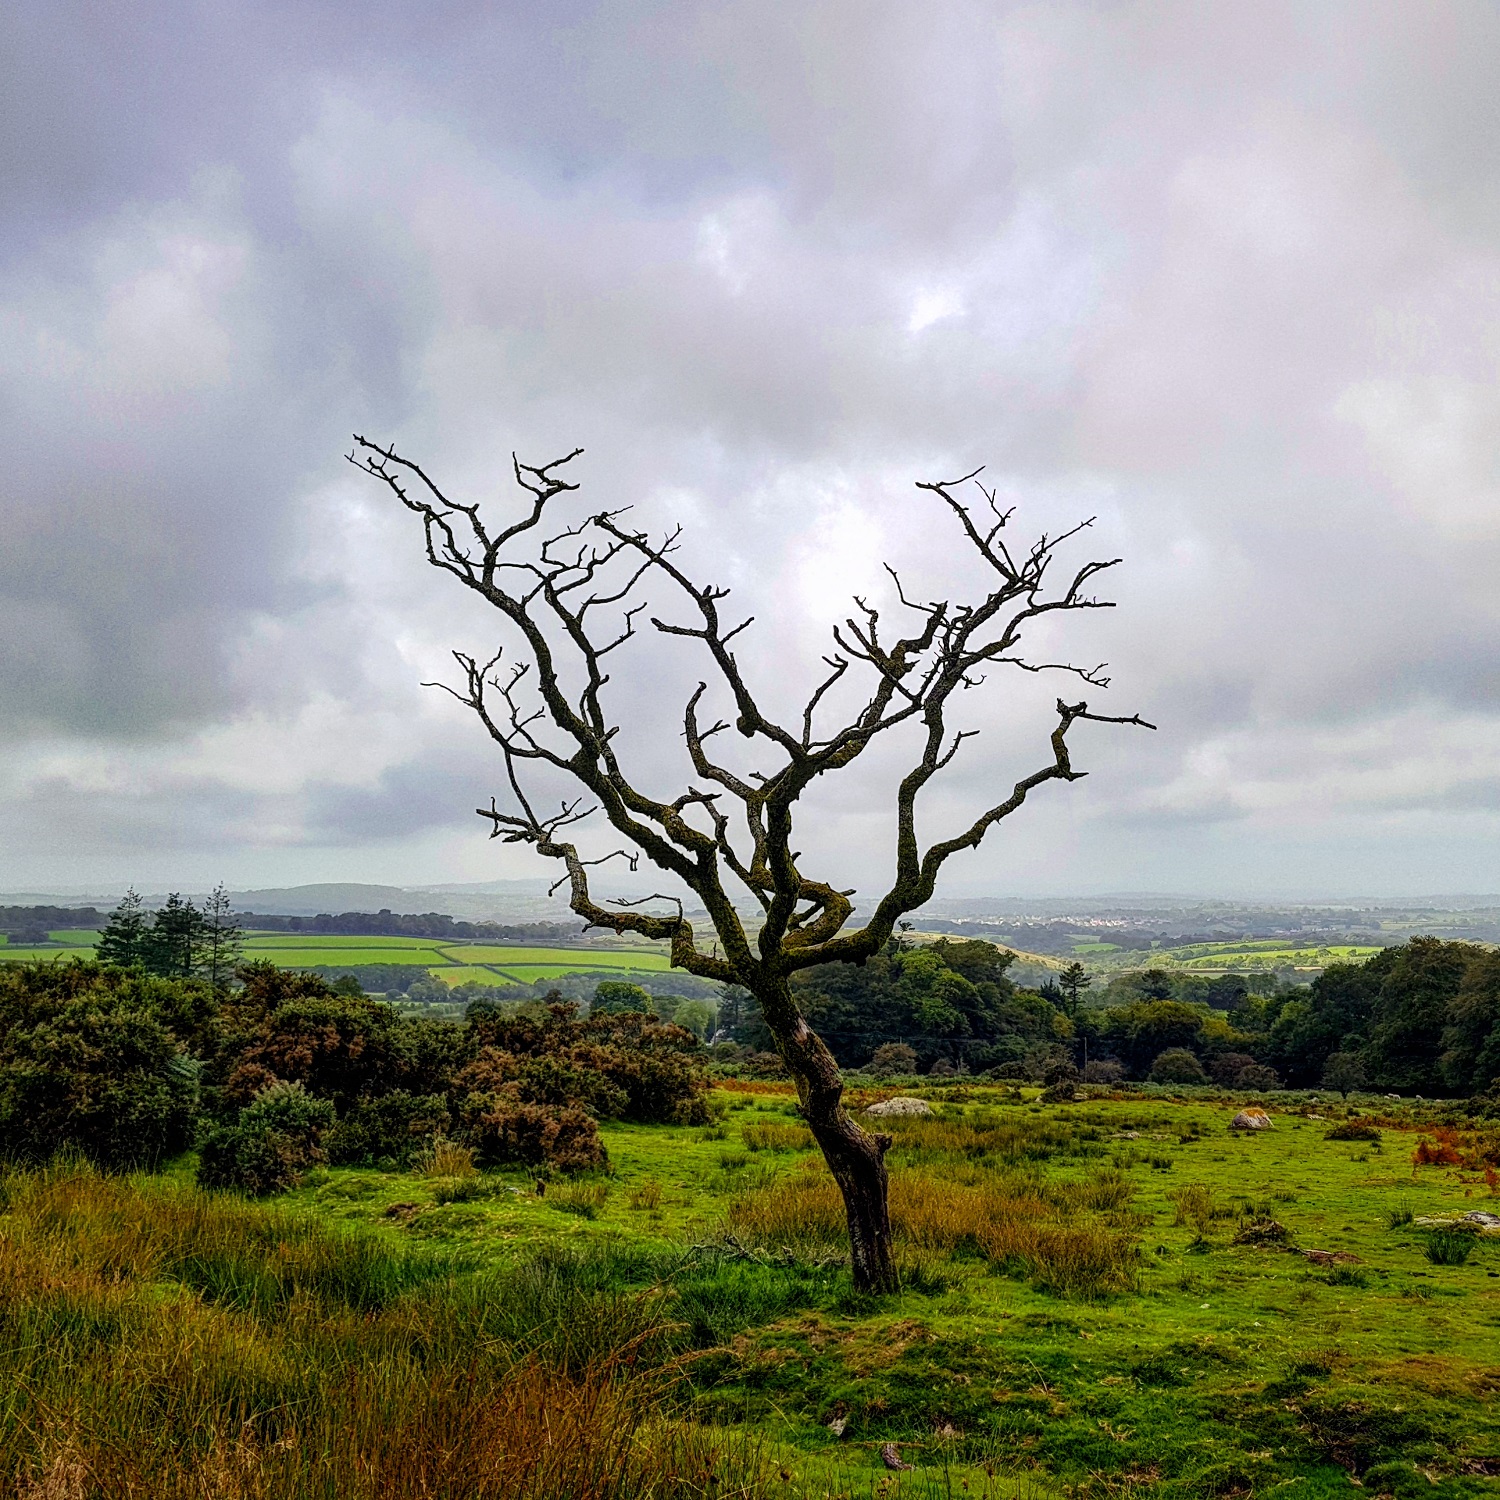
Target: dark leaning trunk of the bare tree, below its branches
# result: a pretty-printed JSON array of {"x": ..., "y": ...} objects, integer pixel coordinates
[{"x": 854, "y": 1156}]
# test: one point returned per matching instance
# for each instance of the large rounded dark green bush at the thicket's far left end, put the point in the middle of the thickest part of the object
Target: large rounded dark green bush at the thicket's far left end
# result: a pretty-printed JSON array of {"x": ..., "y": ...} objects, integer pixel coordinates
[{"x": 89, "y": 1061}]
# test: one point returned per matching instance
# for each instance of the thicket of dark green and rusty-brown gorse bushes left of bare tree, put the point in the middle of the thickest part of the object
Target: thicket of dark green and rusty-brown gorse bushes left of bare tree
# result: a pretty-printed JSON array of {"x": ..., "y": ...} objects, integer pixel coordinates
[{"x": 127, "y": 1070}]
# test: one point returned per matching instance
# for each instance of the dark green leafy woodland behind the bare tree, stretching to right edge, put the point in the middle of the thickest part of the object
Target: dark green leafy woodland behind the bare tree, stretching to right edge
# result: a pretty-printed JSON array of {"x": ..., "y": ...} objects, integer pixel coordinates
[{"x": 1420, "y": 1018}]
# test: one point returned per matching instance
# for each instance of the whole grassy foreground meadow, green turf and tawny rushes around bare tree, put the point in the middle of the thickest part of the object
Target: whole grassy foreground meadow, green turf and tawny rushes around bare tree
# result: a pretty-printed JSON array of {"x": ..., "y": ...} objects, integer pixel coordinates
[{"x": 1103, "y": 1298}]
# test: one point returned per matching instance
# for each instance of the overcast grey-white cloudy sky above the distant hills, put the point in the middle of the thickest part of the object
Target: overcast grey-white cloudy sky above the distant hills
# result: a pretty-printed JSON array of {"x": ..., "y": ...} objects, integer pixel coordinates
[{"x": 1223, "y": 275}]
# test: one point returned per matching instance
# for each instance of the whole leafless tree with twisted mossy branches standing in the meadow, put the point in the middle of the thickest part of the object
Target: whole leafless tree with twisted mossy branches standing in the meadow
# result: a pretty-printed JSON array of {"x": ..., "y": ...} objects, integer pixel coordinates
[{"x": 574, "y": 596}]
